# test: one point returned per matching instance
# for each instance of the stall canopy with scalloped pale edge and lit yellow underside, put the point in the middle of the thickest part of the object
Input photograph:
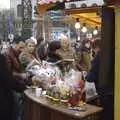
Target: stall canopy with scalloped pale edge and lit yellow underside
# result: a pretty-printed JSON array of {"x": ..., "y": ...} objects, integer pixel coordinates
[{"x": 91, "y": 13}]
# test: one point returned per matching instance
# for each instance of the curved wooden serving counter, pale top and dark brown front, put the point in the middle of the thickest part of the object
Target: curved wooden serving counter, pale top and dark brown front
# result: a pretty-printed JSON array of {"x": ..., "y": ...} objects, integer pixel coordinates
[{"x": 39, "y": 108}]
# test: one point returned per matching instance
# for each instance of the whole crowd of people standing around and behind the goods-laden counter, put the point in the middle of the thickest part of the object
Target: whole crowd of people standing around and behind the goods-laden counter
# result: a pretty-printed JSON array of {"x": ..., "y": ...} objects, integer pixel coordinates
[{"x": 16, "y": 57}]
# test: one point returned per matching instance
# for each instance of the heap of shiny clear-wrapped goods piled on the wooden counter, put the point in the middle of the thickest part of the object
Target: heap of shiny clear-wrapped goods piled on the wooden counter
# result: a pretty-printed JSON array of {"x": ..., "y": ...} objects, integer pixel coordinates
[{"x": 67, "y": 88}]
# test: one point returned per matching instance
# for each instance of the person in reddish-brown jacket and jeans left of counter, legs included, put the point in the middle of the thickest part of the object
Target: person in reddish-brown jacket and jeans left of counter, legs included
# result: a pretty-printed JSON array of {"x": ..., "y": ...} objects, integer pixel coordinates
[{"x": 19, "y": 74}]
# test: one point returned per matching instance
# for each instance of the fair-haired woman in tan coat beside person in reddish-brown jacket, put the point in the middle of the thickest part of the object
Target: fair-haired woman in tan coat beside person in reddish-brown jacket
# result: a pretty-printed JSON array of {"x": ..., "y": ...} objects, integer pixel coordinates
[{"x": 28, "y": 55}]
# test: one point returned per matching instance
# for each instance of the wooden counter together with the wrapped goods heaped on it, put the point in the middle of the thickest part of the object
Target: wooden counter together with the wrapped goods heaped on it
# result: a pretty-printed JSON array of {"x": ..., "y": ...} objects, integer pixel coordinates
[{"x": 58, "y": 93}]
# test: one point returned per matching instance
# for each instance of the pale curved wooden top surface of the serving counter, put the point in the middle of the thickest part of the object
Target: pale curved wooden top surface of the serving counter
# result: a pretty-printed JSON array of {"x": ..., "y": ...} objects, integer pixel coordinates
[{"x": 89, "y": 109}]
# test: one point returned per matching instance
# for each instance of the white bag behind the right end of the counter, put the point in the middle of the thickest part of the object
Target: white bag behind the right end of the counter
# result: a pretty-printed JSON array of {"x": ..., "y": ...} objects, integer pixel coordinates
[{"x": 90, "y": 90}]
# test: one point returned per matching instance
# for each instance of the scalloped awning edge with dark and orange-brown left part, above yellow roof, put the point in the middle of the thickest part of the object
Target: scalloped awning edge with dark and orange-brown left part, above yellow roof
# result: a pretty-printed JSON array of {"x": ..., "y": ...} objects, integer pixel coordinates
[{"x": 45, "y": 5}]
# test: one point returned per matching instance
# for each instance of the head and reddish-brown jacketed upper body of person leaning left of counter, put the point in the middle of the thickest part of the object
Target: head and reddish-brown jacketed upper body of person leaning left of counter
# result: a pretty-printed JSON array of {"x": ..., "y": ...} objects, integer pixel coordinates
[{"x": 12, "y": 54}]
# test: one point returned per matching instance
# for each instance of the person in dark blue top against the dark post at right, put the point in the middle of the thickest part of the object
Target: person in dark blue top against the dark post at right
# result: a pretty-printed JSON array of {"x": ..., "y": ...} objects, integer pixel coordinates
[{"x": 93, "y": 74}]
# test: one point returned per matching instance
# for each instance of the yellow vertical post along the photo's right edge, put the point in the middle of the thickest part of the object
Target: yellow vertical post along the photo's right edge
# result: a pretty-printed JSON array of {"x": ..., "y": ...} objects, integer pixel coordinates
[{"x": 117, "y": 63}]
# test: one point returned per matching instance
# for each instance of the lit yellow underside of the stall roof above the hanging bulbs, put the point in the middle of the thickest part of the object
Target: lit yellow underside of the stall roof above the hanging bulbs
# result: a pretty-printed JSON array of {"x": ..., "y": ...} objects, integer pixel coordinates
[{"x": 91, "y": 15}]
